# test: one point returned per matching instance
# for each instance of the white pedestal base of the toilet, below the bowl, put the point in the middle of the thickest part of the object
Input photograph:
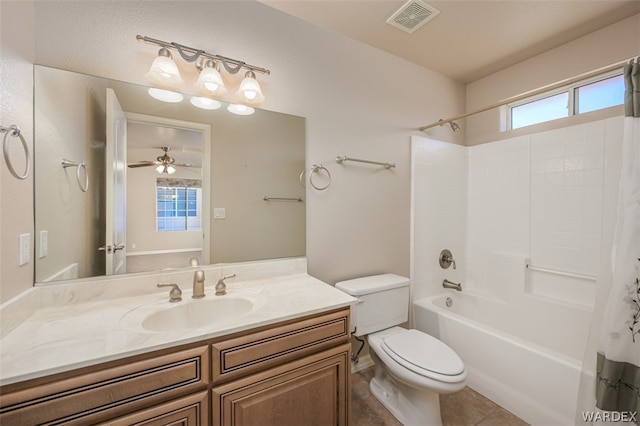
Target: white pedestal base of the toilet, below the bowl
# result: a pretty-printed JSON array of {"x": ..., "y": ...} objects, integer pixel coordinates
[{"x": 410, "y": 406}]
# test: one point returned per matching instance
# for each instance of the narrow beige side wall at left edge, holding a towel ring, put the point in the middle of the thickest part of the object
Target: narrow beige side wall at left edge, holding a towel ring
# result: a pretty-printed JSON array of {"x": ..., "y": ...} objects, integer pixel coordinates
[{"x": 17, "y": 50}]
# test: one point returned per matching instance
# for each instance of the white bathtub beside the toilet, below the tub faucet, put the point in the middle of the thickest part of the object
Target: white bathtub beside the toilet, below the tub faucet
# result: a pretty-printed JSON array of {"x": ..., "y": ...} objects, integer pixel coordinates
[{"x": 525, "y": 355}]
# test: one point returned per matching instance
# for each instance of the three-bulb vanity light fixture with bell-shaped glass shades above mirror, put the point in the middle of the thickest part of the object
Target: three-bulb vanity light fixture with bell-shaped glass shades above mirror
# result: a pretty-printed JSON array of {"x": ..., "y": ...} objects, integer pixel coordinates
[{"x": 164, "y": 72}]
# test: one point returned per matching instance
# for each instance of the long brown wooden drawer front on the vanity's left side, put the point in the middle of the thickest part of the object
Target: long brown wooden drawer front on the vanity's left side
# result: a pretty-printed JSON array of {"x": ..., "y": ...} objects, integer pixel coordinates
[{"x": 109, "y": 392}]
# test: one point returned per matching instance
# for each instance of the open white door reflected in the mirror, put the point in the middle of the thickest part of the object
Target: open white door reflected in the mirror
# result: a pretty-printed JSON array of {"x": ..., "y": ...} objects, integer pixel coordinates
[{"x": 116, "y": 187}]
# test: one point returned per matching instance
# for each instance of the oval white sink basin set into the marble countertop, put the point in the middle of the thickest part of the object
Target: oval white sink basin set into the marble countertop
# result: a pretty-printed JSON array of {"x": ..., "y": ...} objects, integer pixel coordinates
[{"x": 212, "y": 311}]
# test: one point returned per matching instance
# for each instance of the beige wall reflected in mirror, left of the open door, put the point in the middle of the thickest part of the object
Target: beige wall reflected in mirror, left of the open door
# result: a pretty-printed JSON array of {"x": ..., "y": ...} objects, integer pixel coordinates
[{"x": 70, "y": 121}]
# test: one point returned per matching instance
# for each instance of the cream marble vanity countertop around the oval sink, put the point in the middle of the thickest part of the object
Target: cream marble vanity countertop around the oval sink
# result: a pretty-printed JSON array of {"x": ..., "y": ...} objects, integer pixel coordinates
[{"x": 82, "y": 331}]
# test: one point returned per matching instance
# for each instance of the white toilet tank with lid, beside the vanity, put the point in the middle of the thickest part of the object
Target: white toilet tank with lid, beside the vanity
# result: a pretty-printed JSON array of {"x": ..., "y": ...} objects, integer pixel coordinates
[{"x": 383, "y": 302}]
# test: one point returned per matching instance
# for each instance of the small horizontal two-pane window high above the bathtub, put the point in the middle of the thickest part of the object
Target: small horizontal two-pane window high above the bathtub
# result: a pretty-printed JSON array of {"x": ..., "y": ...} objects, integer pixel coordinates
[{"x": 603, "y": 91}]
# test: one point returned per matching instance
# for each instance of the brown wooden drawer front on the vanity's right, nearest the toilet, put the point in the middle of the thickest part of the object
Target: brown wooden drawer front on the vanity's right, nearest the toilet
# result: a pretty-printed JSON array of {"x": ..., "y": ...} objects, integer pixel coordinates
[{"x": 247, "y": 354}]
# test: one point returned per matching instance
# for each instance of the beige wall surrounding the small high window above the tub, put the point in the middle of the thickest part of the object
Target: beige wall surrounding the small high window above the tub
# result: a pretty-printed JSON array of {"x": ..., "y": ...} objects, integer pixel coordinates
[{"x": 612, "y": 44}]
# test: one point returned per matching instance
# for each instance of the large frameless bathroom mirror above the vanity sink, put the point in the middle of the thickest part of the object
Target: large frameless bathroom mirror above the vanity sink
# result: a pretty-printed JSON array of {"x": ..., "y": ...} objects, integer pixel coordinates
[{"x": 234, "y": 193}]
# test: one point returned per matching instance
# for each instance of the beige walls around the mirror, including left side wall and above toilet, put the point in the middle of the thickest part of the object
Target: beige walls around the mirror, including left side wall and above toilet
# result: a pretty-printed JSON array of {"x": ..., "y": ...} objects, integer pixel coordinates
[{"x": 360, "y": 225}]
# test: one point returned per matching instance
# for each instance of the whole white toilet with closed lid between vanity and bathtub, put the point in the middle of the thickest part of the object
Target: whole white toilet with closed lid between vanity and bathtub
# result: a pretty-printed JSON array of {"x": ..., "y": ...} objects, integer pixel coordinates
[{"x": 412, "y": 368}]
